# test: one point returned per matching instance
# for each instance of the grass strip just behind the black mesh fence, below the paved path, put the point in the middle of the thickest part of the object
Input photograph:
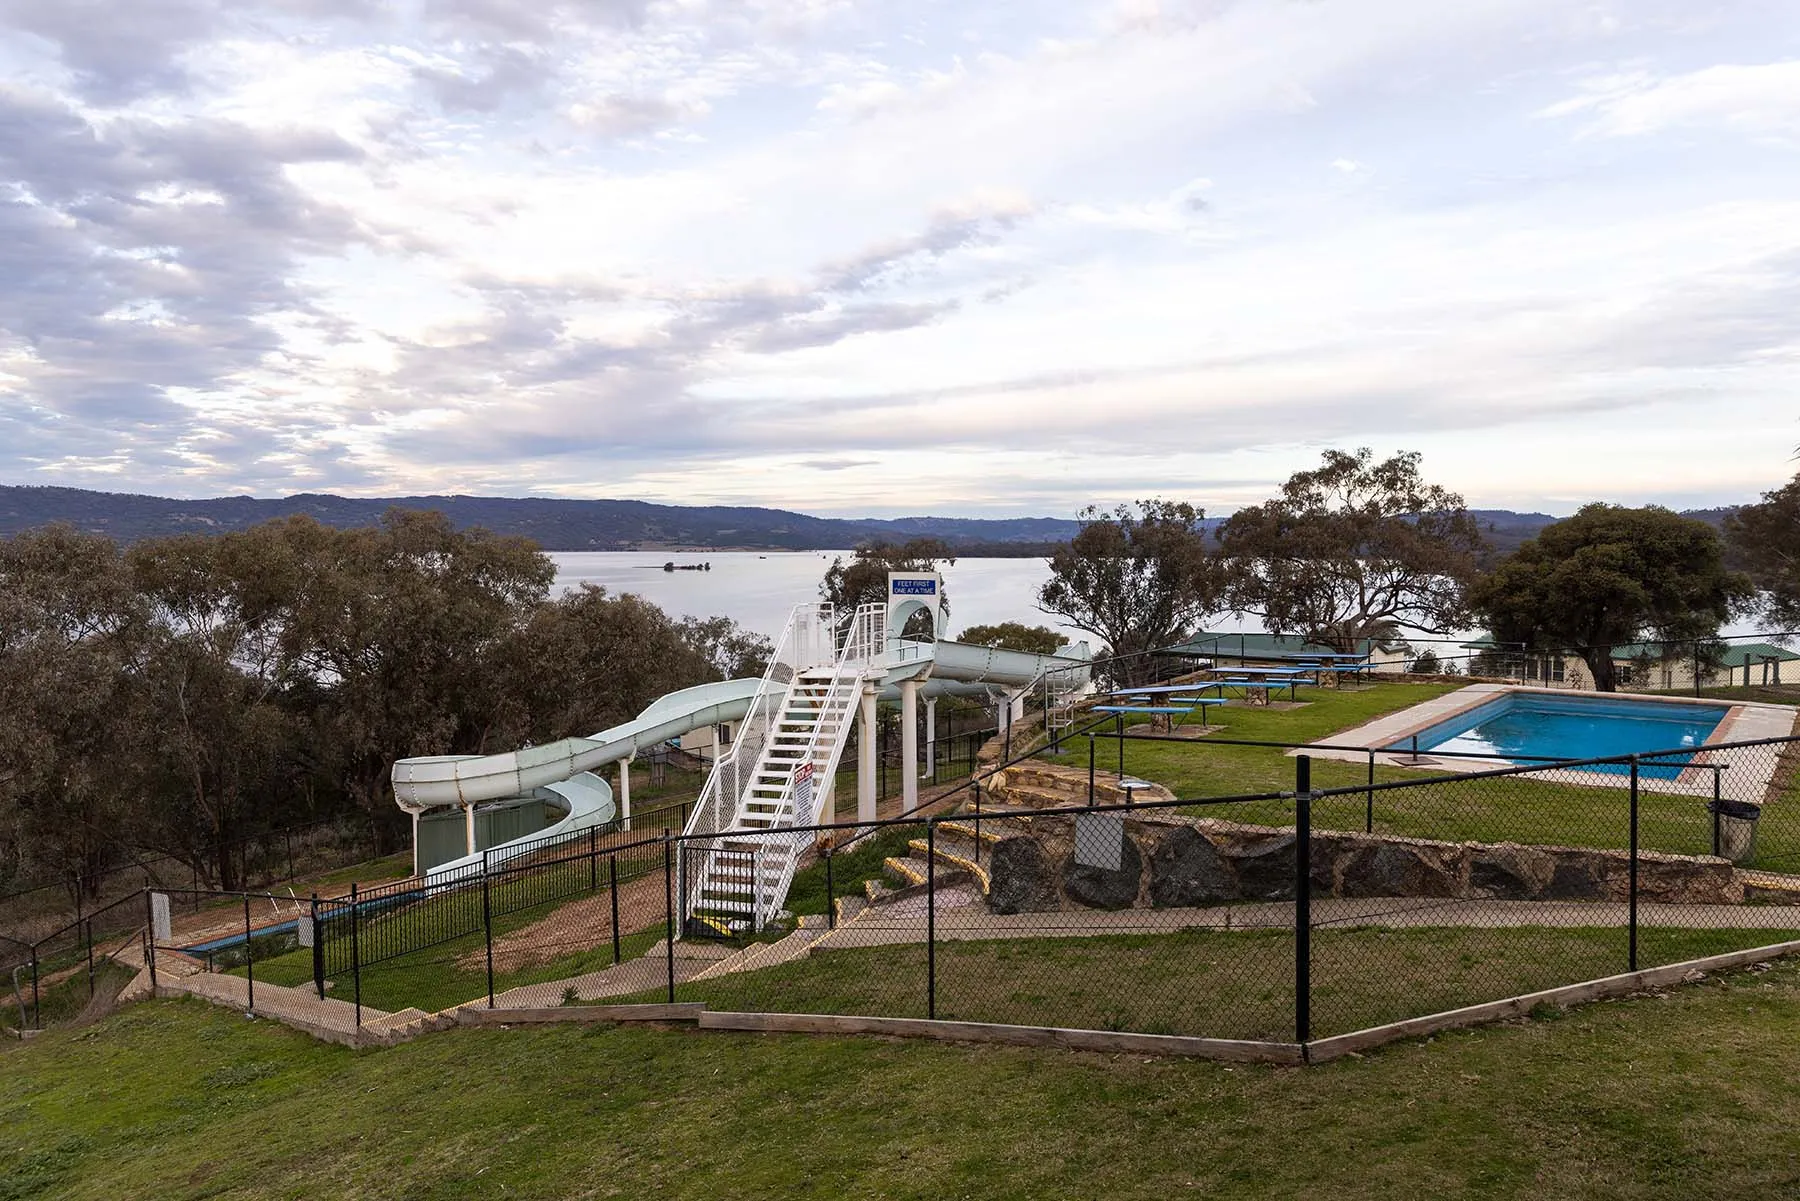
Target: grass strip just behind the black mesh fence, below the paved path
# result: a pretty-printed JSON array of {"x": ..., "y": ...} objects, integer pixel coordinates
[{"x": 1212, "y": 984}]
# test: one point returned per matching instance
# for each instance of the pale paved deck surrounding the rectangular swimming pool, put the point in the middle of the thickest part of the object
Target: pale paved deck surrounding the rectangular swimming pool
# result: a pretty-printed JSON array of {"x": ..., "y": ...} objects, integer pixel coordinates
[{"x": 1747, "y": 781}]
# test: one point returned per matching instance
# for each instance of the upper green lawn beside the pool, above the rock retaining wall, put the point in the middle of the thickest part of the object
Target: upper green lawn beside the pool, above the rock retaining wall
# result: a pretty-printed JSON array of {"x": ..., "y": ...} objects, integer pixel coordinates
[{"x": 1520, "y": 809}]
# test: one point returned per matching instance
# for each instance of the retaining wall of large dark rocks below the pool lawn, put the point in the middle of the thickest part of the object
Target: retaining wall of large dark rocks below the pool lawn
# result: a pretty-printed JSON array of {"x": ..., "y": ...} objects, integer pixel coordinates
[{"x": 1194, "y": 862}]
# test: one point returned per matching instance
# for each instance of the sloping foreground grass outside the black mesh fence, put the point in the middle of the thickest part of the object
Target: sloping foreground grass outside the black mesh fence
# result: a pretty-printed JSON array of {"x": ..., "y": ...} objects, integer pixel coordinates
[{"x": 1682, "y": 1096}]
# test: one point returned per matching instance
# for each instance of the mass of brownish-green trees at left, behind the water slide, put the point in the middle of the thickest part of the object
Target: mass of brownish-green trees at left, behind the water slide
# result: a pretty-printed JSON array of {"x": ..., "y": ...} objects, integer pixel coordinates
[{"x": 199, "y": 691}]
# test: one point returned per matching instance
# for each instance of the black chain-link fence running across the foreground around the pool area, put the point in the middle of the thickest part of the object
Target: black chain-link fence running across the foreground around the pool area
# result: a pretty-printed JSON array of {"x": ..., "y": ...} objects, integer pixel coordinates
[{"x": 1284, "y": 916}]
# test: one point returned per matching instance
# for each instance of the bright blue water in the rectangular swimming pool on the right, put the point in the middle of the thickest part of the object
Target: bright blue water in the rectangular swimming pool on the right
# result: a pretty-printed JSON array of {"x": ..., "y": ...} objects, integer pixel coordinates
[{"x": 1576, "y": 727}]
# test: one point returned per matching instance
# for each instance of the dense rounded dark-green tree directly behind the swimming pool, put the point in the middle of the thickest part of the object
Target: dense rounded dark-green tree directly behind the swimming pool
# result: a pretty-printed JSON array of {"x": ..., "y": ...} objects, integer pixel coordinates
[{"x": 1610, "y": 577}]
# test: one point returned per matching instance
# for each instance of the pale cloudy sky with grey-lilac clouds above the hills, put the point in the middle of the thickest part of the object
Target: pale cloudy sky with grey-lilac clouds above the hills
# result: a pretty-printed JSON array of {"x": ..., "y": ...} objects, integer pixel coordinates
[{"x": 868, "y": 258}]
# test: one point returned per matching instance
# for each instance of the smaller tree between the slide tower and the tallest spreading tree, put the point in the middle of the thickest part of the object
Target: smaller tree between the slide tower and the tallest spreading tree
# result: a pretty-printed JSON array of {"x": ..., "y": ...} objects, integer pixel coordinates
[{"x": 1142, "y": 581}]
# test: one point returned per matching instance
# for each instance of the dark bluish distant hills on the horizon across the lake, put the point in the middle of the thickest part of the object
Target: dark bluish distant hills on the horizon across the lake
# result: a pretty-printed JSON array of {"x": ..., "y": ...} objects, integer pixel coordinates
[{"x": 604, "y": 525}]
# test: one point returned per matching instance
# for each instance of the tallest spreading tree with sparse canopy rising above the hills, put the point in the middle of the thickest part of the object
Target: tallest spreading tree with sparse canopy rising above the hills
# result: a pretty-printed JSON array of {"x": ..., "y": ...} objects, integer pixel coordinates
[{"x": 1354, "y": 550}]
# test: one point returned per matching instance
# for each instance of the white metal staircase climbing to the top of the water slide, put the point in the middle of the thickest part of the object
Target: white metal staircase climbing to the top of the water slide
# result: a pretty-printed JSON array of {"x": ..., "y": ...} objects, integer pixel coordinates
[{"x": 778, "y": 773}]
